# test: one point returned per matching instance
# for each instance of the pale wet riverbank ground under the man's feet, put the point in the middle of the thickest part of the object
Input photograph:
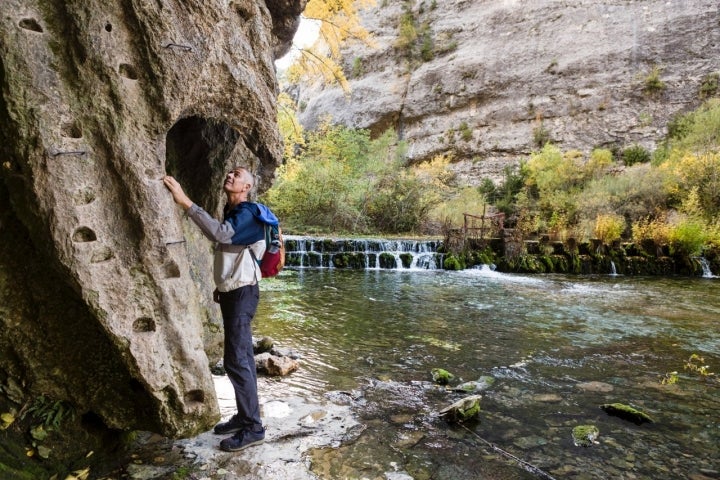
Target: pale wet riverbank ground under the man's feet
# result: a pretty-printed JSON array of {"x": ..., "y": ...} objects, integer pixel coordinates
[{"x": 296, "y": 424}]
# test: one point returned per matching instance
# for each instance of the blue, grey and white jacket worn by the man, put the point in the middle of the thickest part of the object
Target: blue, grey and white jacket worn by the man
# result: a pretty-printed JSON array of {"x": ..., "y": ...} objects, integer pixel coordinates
[{"x": 242, "y": 229}]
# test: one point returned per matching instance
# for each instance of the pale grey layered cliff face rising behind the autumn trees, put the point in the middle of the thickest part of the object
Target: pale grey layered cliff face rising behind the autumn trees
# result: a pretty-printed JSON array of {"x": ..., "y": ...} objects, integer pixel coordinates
[{"x": 489, "y": 80}]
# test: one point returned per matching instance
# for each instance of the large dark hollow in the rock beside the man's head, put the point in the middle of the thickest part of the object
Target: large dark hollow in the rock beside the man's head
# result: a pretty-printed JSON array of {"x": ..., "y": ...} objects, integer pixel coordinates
[{"x": 197, "y": 150}]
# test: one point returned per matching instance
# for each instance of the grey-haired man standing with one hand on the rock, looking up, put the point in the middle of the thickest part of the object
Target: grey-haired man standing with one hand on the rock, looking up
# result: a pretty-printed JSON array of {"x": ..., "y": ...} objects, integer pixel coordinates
[{"x": 240, "y": 241}]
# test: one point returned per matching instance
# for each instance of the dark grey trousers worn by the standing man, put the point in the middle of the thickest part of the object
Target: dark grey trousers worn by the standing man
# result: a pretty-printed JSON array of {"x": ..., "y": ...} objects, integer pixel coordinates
[{"x": 238, "y": 309}]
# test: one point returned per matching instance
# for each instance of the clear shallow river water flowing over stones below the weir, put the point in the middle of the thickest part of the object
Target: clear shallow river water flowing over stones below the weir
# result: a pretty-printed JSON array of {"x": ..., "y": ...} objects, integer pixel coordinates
[{"x": 558, "y": 347}]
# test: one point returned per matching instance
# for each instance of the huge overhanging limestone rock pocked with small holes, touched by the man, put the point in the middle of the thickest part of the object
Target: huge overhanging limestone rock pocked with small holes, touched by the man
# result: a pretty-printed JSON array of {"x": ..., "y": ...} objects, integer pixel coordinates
[{"x": 105, "y": 295}]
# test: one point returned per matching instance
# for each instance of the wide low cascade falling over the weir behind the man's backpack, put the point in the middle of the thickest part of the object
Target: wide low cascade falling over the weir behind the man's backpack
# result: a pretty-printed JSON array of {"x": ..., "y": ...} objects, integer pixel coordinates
[{"x": 359, "y": 254}]
